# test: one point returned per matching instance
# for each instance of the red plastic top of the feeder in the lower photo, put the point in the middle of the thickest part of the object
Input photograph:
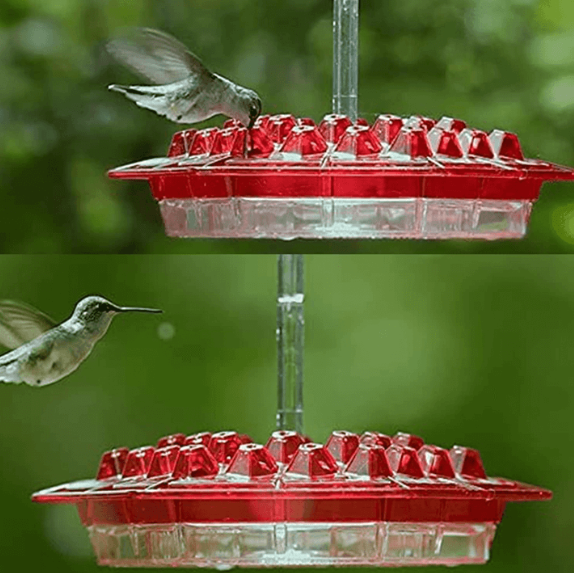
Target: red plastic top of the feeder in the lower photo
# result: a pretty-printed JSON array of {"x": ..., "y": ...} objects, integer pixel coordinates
[{"x": 224, "y": 477}]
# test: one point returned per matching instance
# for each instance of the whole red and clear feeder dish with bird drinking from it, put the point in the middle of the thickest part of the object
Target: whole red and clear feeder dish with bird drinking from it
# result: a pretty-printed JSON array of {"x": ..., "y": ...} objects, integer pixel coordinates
[{"x": 397, "y": 178}]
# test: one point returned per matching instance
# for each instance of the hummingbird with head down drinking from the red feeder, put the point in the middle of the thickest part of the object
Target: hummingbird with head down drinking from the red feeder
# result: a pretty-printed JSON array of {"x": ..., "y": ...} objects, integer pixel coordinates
[{"x": 187, "y": 92}]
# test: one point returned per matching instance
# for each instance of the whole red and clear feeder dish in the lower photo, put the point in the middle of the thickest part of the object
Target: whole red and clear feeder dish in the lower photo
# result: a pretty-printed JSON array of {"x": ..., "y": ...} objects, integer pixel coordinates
[{"x": 219, "y": 500}]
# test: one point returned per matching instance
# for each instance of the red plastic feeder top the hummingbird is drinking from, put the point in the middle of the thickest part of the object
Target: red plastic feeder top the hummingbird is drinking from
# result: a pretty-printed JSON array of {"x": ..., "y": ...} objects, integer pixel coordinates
[{"x": 395, "y": 157}]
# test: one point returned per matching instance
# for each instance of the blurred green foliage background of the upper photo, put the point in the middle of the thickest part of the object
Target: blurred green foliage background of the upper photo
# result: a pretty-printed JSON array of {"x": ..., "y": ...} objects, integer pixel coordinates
[{"x": 494, "y": 64}]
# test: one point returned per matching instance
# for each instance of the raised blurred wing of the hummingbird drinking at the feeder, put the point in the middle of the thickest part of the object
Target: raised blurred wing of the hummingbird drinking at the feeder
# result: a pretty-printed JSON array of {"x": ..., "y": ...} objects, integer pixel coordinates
[{"x": 158, "y": 56}]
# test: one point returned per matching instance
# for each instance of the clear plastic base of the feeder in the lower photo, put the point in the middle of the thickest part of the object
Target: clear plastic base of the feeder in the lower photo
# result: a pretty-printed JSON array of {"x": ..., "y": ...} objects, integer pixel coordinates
[{"x": 223, "y": 546}]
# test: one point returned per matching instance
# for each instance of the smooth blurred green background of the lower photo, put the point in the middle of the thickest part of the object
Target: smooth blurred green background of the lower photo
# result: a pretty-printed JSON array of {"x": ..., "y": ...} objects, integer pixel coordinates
[{"x": 469, "y": 350}]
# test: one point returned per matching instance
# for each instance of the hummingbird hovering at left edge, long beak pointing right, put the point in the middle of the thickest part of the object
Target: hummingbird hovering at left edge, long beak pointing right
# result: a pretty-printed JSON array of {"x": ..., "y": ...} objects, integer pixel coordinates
[{"x": 46, "y": 352}]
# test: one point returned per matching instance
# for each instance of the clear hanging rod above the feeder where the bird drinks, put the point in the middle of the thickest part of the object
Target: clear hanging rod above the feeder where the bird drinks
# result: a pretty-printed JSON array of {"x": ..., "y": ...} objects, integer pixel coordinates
[{"x": 346, "y": 57}]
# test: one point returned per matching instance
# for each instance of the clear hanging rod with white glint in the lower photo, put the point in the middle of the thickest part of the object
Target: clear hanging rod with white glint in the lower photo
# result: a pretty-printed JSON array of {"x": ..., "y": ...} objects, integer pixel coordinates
[{"x": 290, "y": 342}]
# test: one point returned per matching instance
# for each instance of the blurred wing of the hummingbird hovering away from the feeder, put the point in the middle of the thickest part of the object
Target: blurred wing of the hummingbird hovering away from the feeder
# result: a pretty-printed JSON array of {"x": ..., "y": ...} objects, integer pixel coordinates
[{"x": 20, "y": 323}]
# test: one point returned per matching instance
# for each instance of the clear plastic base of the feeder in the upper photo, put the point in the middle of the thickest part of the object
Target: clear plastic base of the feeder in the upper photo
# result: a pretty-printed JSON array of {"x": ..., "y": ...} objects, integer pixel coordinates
[{"x": 345, "y": 218}]
